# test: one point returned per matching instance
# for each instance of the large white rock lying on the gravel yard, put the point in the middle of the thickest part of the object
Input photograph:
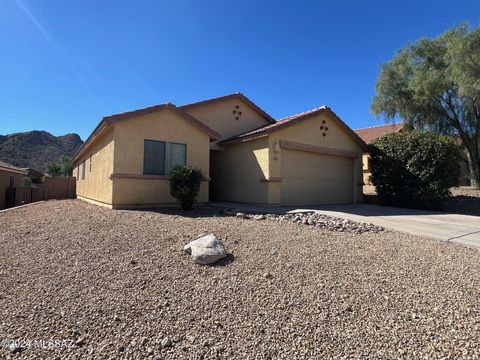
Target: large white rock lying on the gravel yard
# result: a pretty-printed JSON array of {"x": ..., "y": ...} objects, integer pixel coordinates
[{"x": 206, "y": 249}]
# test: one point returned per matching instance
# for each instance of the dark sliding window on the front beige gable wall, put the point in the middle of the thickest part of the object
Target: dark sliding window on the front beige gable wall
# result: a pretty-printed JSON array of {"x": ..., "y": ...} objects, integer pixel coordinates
[{"x": 161, "y": 157}]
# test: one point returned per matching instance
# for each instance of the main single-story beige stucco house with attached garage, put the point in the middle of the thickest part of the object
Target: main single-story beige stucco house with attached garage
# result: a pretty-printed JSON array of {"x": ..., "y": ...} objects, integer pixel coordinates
[{"x": 245, "y": 155}]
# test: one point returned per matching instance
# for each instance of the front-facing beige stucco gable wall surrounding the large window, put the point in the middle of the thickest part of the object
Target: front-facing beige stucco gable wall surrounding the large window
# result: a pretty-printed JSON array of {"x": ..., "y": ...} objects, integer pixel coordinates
[{"x": 129, "y": 143}]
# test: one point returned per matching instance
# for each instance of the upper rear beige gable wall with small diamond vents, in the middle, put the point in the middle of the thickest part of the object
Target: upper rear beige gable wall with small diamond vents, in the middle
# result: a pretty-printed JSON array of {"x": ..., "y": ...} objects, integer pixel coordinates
[{"x": 220, "y": 117}]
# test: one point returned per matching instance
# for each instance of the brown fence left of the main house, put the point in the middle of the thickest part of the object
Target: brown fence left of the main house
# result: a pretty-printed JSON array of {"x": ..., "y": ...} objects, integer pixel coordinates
[{"x": 52, "y": 188}]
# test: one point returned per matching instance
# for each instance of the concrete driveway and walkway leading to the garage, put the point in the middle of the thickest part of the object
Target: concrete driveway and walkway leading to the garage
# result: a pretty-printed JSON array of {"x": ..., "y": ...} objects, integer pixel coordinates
[{"x": 463, "y": 229}]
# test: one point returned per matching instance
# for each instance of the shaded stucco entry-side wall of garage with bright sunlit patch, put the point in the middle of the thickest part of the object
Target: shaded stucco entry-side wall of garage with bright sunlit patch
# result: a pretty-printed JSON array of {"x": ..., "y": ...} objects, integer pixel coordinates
[{"x": 237, "y": 172}]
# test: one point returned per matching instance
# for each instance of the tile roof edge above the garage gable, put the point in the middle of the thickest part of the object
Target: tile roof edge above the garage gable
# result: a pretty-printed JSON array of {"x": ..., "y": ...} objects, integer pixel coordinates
[{"x": 290, "y": 120}]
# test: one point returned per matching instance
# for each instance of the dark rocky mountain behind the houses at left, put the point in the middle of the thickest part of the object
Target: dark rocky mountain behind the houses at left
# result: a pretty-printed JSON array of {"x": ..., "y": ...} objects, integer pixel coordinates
[{"x": 35, "y": 149}]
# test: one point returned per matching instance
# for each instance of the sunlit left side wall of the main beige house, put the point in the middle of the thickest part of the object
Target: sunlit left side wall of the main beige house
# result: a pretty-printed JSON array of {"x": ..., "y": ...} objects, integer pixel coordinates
[{"x": 97, "y": 185}]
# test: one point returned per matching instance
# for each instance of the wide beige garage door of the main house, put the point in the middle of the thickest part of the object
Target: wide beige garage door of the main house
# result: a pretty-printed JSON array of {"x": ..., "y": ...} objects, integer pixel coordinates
[{"x": 310, "y": 178}]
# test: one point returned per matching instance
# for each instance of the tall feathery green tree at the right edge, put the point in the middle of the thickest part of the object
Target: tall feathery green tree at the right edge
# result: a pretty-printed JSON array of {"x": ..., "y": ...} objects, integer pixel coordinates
[{"x": 434, "y": 84}]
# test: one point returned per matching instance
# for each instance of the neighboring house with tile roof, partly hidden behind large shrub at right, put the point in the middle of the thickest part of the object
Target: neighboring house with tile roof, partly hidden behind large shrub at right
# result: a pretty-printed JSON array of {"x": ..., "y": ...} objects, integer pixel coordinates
[{"x": 372, "y": 133}]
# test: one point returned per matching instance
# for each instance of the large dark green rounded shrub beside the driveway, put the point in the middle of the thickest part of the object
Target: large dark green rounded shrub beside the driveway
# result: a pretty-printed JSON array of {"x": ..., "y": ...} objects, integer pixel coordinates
[{"x": 414, "y": 169}]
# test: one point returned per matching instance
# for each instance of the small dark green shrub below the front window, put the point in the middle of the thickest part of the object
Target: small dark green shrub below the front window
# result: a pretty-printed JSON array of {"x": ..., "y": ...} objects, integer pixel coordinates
[{"x": 185, "y": 184}]
